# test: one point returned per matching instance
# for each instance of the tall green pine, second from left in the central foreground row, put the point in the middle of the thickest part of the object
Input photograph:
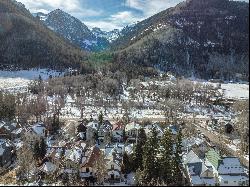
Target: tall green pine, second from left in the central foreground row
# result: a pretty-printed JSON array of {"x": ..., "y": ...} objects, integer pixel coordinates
[{"x": 150, "y": 161}]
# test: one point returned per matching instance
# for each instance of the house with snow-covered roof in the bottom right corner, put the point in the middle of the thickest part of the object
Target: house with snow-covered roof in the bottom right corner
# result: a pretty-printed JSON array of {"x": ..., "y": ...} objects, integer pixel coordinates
[{"x": 232, "y": 173}]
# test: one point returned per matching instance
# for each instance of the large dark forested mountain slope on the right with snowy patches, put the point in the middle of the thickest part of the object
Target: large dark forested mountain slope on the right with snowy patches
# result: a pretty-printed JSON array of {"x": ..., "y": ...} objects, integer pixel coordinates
[{"x": 202, "y": 38}]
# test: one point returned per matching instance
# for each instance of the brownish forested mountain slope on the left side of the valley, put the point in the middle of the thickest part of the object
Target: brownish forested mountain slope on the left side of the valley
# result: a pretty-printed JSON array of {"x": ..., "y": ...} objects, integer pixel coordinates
[{"x": 26, "y": 42}]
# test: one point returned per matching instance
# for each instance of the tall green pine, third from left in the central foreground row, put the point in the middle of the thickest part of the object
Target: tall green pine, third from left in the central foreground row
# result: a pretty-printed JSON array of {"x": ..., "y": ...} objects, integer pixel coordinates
[{"x": 166, "y": 162}]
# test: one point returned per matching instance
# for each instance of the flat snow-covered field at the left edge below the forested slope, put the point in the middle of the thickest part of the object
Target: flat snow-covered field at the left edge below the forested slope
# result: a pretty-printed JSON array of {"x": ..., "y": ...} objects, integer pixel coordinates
[{"x": 19, "y": 80}]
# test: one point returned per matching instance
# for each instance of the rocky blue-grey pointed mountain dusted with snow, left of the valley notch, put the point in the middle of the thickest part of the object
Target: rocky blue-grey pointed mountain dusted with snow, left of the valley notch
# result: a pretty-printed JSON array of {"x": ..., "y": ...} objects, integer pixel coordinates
[{"x": 73, "y": 30}]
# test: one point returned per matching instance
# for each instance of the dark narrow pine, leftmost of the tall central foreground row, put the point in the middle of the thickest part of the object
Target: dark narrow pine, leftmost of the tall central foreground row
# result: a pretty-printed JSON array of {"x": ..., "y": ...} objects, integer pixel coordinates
[{"x": 138, "y": 150}]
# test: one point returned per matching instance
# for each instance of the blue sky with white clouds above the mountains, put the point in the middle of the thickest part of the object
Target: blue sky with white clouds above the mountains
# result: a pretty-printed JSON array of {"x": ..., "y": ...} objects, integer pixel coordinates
[{"x": 105, "y": 14}]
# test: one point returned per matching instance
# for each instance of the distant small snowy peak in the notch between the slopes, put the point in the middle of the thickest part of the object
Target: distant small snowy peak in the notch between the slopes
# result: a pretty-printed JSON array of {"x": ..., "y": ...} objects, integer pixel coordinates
[{"x": 110, "y": 36}]
